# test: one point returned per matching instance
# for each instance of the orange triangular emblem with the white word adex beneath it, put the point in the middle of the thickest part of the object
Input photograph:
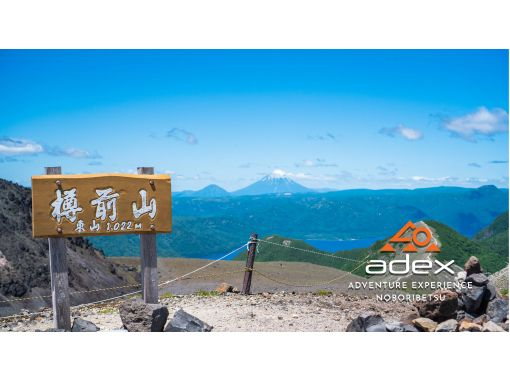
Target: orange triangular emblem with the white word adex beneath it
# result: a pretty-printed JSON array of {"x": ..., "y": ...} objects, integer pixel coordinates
[{"x": 414, "y": 238}]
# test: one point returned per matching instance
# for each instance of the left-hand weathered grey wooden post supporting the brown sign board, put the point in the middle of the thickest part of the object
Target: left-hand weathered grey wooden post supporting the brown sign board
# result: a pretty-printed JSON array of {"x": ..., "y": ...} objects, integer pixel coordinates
[{"x": 58, "y": 274}]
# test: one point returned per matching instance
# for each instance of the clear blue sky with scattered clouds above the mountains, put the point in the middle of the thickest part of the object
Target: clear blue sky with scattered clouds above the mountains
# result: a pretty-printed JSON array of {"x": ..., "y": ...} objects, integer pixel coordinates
[{"x": 328, "y": 119}]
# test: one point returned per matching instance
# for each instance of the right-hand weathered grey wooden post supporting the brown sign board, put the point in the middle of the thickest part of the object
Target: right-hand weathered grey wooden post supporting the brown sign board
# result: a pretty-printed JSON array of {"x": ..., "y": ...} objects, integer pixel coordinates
[{"x": 148, "y": 258}]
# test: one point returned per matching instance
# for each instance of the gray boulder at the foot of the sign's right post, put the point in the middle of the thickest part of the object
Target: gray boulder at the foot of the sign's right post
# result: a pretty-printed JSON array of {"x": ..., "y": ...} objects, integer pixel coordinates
[{"x": 137, "y": 316}]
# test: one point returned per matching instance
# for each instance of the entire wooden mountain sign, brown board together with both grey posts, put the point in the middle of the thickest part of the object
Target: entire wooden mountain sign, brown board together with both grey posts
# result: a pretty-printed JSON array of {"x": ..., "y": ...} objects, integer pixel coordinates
[{"x": 94, "y": 205}]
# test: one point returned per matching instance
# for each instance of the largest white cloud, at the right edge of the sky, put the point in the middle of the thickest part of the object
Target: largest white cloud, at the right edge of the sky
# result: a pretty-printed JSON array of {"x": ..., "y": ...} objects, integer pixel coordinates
[{"x": 482, "y": 122}]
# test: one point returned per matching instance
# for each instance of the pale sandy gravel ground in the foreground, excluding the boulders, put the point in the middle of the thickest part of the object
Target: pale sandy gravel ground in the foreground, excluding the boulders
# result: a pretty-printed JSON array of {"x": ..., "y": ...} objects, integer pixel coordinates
[{"x": 282, "y": 311}]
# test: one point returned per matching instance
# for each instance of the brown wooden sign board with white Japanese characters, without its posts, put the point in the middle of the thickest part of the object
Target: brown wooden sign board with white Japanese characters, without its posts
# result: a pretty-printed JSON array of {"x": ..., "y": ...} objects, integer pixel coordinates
[{"x": 100, "y": 204}]
